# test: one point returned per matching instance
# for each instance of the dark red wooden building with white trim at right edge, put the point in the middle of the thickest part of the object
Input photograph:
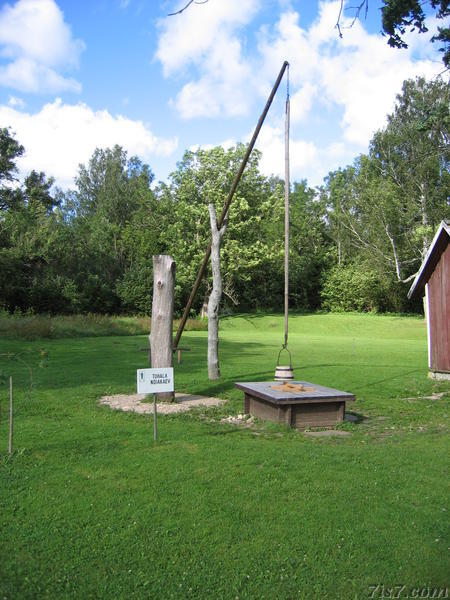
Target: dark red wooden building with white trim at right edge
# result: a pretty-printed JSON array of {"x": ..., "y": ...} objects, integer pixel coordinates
[{"x": 433, "y": 280}]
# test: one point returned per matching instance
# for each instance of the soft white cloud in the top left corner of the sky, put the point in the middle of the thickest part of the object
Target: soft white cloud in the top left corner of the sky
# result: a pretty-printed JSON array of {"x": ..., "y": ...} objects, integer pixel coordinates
[{"x": 37, "y": 46}]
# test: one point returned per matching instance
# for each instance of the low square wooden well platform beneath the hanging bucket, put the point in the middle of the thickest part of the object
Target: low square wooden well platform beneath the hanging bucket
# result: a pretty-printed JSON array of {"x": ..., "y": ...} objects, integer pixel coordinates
[{"x": 298, "y": 404}]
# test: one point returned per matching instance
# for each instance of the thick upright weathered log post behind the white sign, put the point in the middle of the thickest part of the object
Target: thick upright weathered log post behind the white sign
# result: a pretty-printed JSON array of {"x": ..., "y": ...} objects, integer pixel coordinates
[{"x": 162, "y": 315}]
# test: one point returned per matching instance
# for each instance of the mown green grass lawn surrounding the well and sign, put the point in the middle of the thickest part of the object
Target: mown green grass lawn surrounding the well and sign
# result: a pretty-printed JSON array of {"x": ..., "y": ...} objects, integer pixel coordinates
[{"x": 90, "y": 507}]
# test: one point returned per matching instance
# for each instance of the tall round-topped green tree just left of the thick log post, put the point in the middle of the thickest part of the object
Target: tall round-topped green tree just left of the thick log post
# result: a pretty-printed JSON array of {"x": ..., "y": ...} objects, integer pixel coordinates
[{"x": 110, "y": 191}]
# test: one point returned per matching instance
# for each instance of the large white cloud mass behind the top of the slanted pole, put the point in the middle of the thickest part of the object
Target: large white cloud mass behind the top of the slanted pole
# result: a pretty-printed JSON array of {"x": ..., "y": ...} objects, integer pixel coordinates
[{"x": 341, "y": 89}]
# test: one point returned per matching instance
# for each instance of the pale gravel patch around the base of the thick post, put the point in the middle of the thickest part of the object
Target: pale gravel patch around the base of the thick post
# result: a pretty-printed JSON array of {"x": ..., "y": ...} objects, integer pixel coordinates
[{"x": 134, "y": 403}]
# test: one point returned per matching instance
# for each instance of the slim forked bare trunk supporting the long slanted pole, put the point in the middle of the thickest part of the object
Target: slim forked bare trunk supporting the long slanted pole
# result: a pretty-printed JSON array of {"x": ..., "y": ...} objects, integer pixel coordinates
[{"x": 215, "y": 296}]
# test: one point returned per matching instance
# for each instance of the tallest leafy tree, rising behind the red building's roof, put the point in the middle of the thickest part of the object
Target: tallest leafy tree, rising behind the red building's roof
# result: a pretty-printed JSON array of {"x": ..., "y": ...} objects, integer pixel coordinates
[{"x": 412, "y": 153}]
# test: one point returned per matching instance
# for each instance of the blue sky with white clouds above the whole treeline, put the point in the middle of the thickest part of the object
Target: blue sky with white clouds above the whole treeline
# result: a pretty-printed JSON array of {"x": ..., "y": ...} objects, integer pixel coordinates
[{"x": 76, "y": 75}]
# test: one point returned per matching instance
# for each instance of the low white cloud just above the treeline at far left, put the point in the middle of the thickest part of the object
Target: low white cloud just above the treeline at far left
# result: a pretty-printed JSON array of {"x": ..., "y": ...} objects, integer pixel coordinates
[{"x": 61, "y": 136}]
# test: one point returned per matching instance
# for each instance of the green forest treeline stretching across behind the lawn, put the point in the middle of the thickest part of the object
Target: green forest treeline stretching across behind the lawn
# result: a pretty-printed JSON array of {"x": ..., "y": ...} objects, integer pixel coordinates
[{"x": 356, "y": 241}]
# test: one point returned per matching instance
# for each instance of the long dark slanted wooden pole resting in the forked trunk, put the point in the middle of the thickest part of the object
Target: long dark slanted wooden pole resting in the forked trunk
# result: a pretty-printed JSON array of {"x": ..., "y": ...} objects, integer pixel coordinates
[{"x": 234, "y": 185}]
